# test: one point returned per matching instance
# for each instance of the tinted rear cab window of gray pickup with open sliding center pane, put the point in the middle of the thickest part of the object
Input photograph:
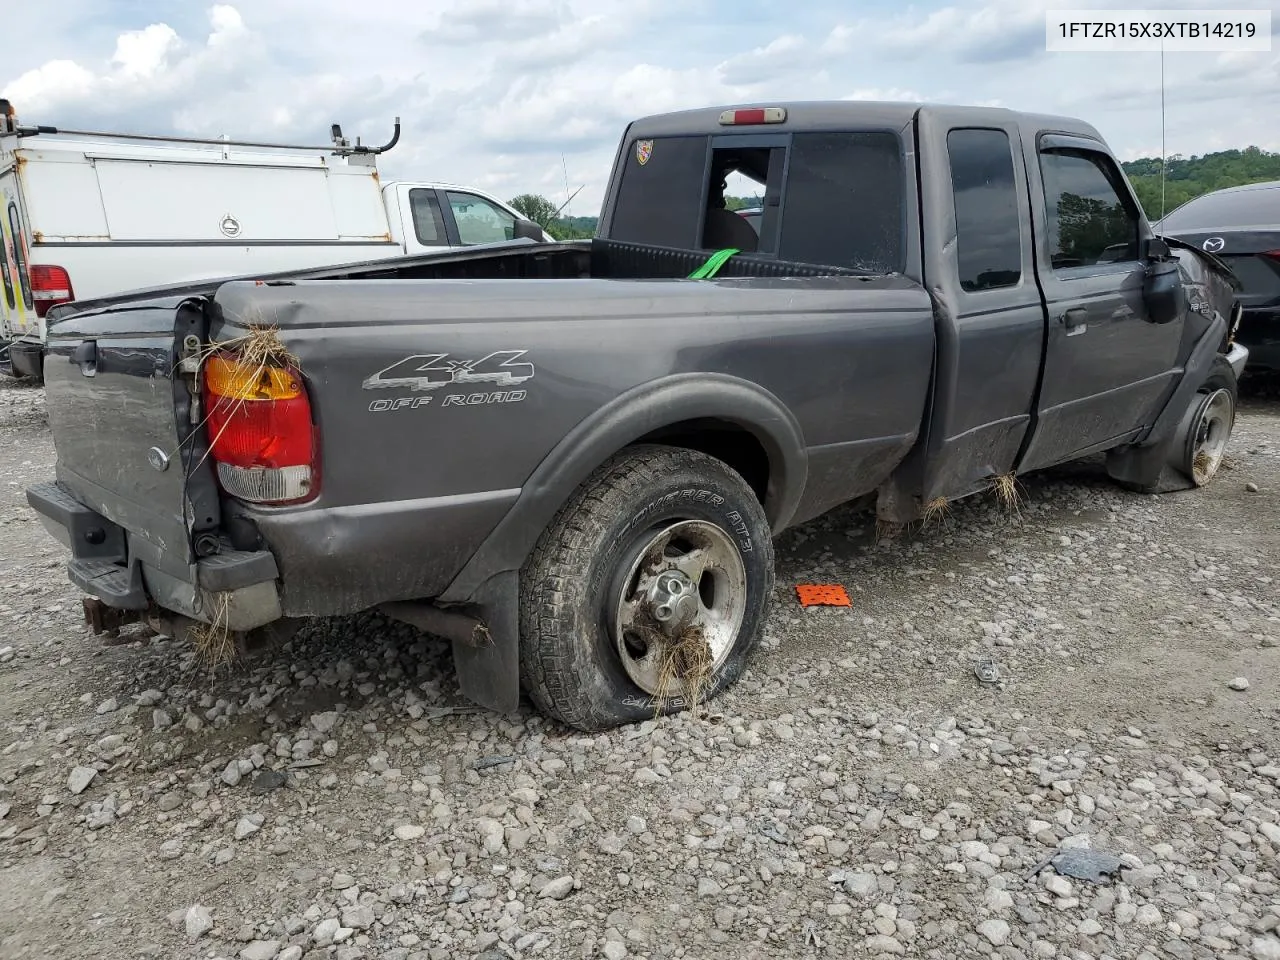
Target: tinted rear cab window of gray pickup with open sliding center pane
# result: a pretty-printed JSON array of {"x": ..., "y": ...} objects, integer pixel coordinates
[{"x": 834, "y": 199}]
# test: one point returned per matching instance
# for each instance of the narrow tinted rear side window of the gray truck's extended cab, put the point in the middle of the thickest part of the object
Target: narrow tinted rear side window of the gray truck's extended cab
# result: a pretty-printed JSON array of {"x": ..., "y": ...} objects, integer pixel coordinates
[{"x": 989, "y": 232}]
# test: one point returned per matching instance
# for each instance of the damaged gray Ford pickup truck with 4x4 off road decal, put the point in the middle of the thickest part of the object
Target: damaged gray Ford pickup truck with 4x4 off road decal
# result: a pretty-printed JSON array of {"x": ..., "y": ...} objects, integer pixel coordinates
[{"x": 572, "y": 459}]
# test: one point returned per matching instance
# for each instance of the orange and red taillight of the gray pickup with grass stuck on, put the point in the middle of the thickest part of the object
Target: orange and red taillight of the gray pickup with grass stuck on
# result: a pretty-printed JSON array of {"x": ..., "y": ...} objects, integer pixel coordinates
[{"x": 260, "y": 431}]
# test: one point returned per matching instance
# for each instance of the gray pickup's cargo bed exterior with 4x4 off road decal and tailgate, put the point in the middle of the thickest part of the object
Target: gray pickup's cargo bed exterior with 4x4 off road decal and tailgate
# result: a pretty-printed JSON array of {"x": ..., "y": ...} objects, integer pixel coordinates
[{"x": 414, "y": 481}]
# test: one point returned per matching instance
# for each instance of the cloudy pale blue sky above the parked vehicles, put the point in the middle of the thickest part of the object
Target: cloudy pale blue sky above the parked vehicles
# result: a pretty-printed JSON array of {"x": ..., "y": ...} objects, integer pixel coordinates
[{"x": 520, "y": 97}]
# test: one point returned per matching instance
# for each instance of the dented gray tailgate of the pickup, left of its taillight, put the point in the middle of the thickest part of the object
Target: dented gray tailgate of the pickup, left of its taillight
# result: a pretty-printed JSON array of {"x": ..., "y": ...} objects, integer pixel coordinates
[{"x": 120, "y": 413}]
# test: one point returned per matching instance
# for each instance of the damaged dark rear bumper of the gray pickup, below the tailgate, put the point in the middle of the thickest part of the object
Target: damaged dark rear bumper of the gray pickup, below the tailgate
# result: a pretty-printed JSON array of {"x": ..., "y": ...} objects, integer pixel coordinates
[{"x": 236, "y": 589}]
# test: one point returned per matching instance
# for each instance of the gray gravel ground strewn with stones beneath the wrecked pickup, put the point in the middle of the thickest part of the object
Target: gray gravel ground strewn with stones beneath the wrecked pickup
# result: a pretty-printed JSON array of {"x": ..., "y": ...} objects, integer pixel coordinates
[{"x": 861, "y": 793}]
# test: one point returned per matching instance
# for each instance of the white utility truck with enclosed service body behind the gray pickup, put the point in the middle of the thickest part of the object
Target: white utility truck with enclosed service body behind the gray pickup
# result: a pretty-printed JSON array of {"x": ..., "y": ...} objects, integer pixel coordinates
[{"x": 89, "y": 214}]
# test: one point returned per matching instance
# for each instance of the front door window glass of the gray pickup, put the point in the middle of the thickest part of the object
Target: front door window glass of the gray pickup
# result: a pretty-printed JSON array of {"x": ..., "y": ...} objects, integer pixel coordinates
[{"x": 1087, "y": 220}]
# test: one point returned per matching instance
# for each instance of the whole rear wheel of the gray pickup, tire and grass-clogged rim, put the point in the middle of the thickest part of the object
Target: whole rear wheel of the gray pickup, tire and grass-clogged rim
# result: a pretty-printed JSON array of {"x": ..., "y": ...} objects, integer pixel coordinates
[{"x": 648, "y": 591}]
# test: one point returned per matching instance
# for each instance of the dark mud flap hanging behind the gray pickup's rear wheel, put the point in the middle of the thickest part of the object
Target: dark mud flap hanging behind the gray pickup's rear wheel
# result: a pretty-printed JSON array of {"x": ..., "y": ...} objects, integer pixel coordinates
[{"x": 490, "y": 671}]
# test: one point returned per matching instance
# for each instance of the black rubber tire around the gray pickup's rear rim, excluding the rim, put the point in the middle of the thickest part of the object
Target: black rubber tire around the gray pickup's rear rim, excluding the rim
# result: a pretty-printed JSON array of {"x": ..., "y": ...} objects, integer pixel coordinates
[{"x": 569, "y": 664}]
